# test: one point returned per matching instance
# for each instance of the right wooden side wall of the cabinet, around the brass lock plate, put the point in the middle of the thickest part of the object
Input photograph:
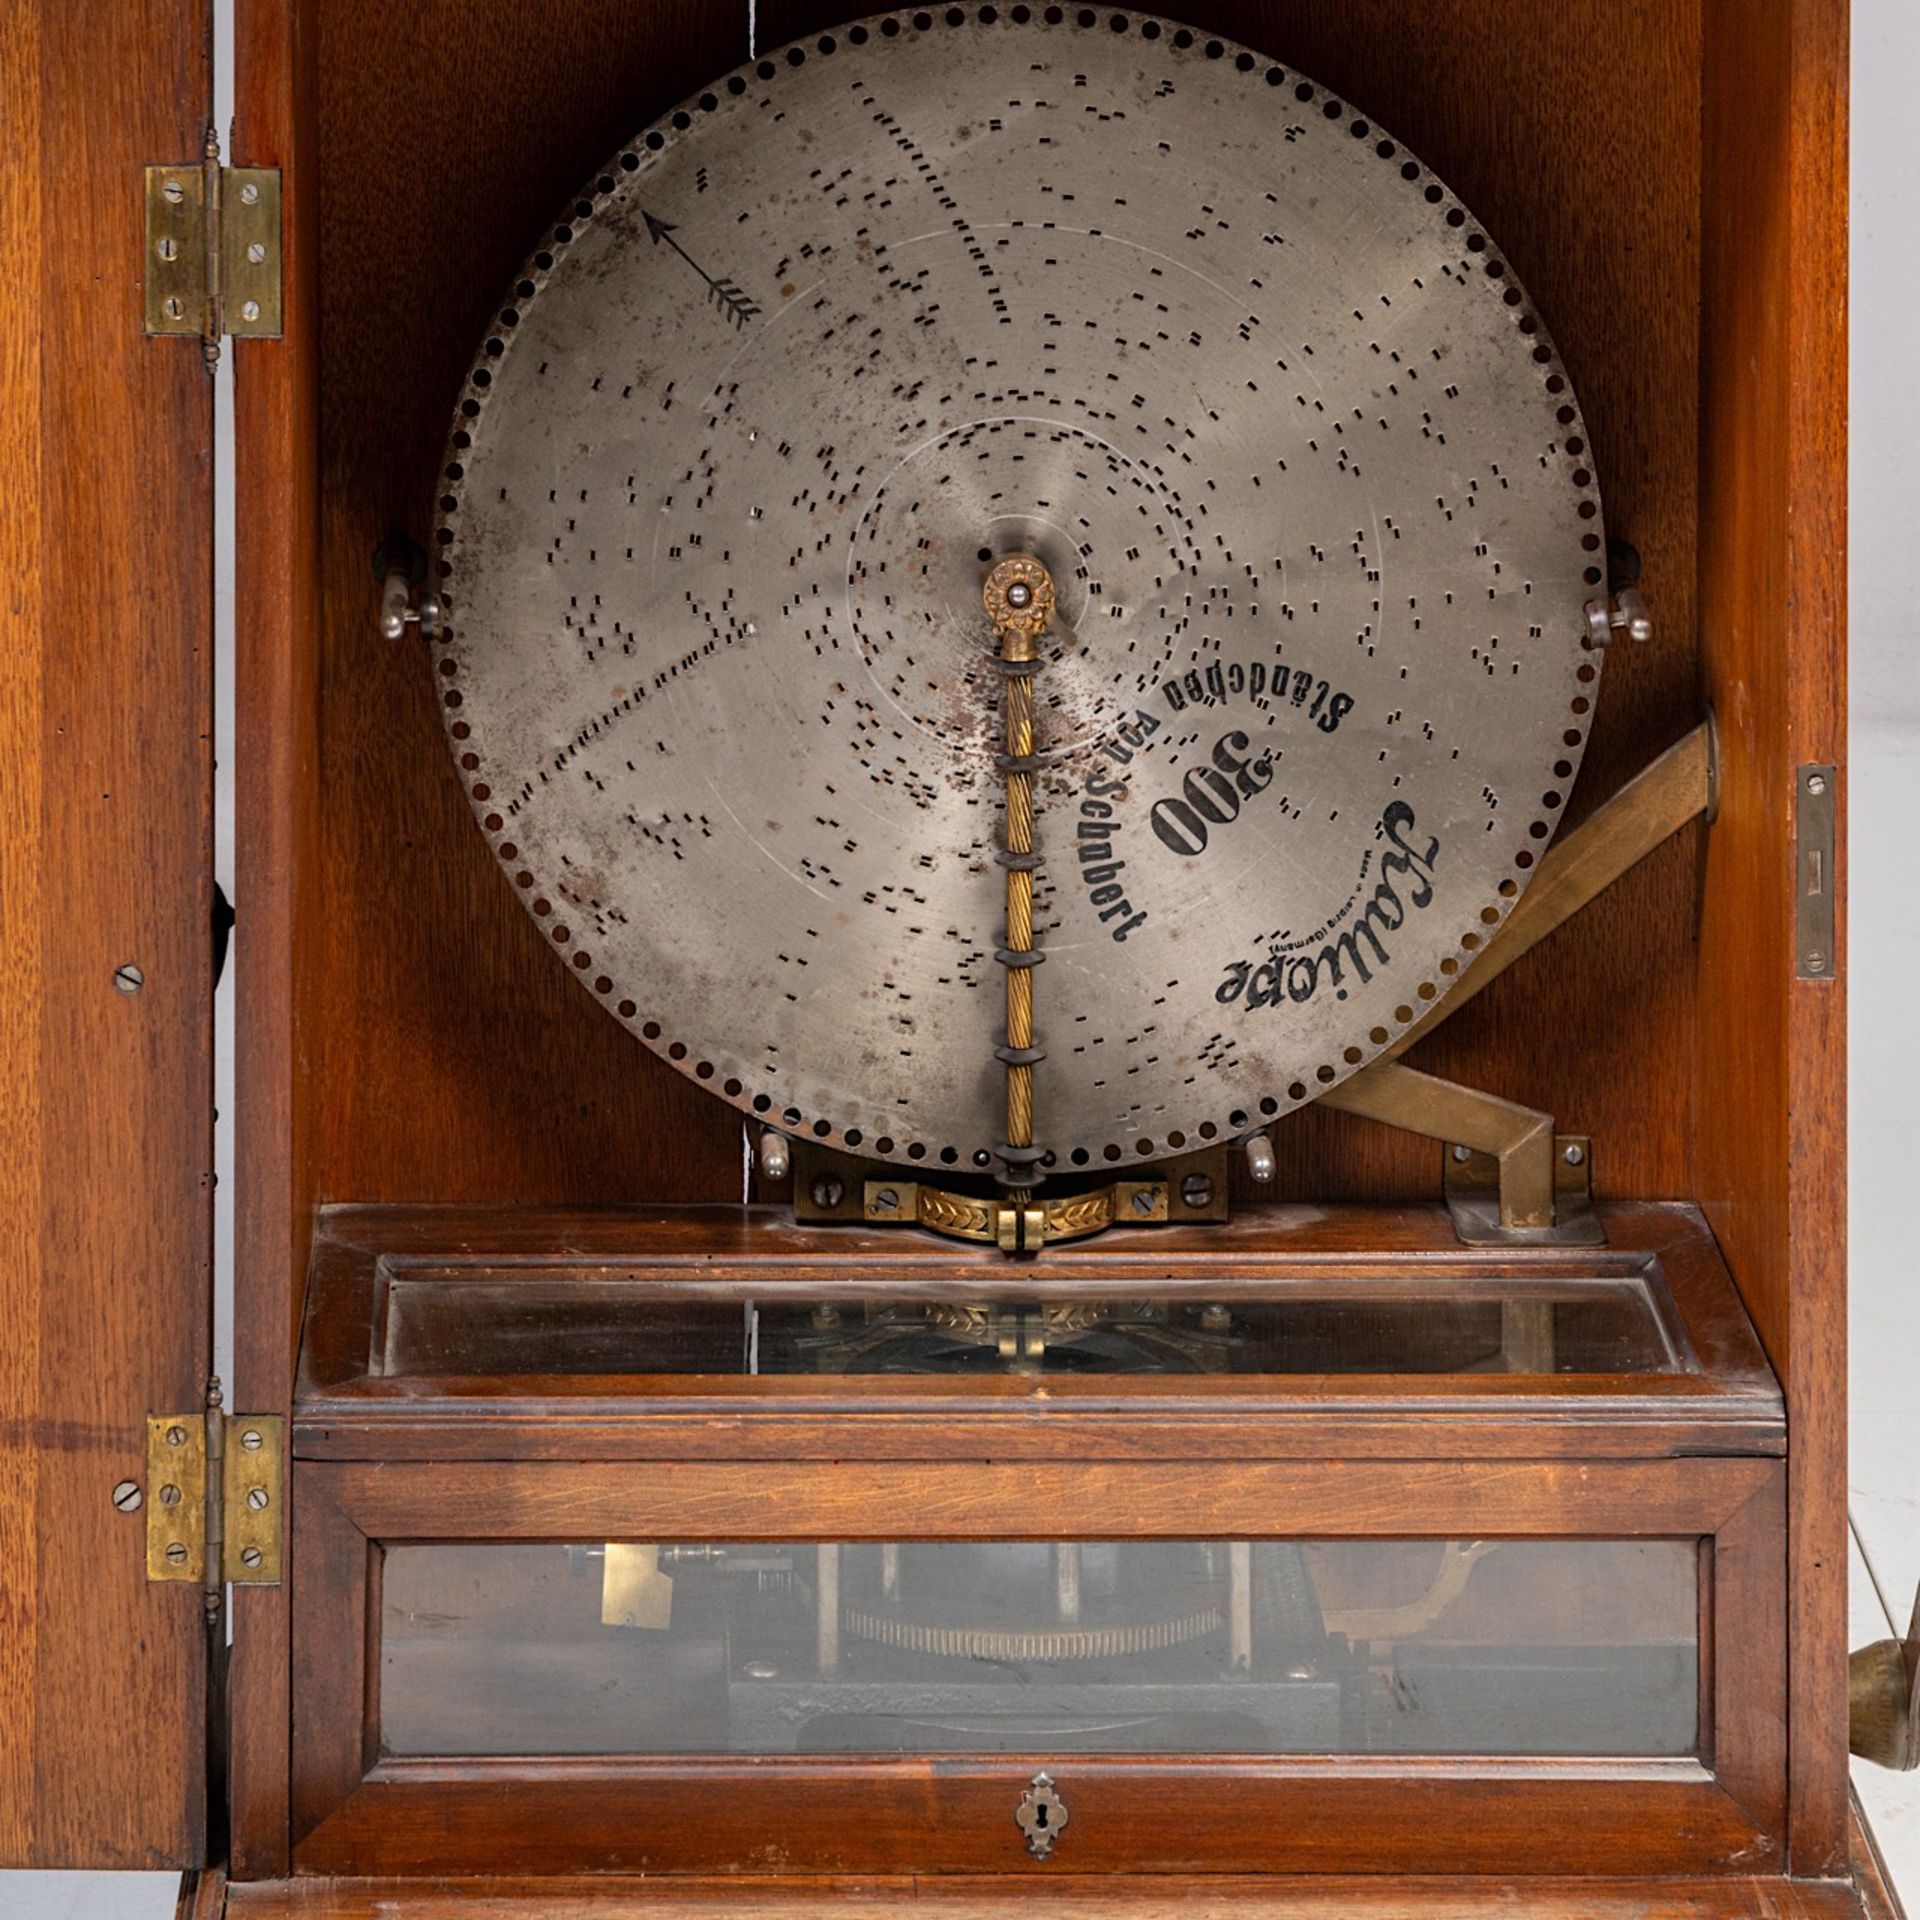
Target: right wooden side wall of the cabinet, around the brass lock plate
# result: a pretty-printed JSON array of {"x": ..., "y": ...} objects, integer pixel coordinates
[{"x": 1771, "y": 1128}]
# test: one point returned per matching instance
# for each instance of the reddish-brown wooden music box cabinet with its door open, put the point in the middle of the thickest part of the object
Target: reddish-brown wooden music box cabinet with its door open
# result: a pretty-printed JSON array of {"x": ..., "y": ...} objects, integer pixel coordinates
[{"x": 462, "y": 1188}]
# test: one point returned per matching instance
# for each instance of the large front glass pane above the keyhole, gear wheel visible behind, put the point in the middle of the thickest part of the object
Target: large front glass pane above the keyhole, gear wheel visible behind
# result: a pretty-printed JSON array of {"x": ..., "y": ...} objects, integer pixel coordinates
[{"x": 1143, "y": 1646}]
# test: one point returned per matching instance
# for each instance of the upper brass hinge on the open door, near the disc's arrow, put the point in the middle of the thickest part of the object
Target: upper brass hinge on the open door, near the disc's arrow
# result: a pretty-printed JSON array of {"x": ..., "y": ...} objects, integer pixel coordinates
[{"x": 214, "y": 251}]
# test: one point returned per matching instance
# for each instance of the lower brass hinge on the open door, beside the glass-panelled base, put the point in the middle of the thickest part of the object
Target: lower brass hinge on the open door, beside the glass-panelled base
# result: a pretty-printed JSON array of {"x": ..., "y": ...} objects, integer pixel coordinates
[{"x": 216, "y": 1499}]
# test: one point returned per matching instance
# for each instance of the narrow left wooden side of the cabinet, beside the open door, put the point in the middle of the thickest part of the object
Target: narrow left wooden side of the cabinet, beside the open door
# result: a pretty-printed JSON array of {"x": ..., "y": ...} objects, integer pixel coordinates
[{"x": 277, "y": 1030}]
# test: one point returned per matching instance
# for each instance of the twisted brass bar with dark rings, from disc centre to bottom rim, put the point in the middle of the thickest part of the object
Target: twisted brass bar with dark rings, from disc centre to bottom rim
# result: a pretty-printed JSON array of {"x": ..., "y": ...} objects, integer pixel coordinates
[{"x": 1020, "y": 600}]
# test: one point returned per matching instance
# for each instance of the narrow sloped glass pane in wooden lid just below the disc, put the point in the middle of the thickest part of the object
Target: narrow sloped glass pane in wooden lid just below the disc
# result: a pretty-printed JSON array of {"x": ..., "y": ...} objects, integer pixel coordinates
[{"x": 441, "y": 1322}]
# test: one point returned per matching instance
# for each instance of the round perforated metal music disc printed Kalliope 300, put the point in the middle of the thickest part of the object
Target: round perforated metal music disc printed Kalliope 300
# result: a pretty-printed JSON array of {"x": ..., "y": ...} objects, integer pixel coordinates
[{"x": 940, "y": 287}]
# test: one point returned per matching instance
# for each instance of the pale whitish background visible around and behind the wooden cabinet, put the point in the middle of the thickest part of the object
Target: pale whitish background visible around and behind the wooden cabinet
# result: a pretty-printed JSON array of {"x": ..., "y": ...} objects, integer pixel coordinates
[{"x": 1884, "y": 798}]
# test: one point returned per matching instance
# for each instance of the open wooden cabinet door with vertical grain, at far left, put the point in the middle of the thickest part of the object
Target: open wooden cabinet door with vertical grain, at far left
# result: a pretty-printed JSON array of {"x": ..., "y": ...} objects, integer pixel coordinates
[{"x": 107, "y": 777}]
